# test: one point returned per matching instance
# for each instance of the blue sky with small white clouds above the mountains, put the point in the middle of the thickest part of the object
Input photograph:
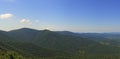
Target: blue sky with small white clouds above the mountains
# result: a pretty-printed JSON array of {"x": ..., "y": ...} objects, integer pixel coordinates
[{"x": 61, "y": 15}]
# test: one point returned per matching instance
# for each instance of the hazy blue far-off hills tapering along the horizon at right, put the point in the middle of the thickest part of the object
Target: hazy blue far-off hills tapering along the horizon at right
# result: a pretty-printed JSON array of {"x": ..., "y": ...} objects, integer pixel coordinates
[{"x": 113, "y": 38}]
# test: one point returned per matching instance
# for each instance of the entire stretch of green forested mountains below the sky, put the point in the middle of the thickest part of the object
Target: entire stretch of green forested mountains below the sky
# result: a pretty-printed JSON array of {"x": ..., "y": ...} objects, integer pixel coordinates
[{"x": 28, "y": 43}]
